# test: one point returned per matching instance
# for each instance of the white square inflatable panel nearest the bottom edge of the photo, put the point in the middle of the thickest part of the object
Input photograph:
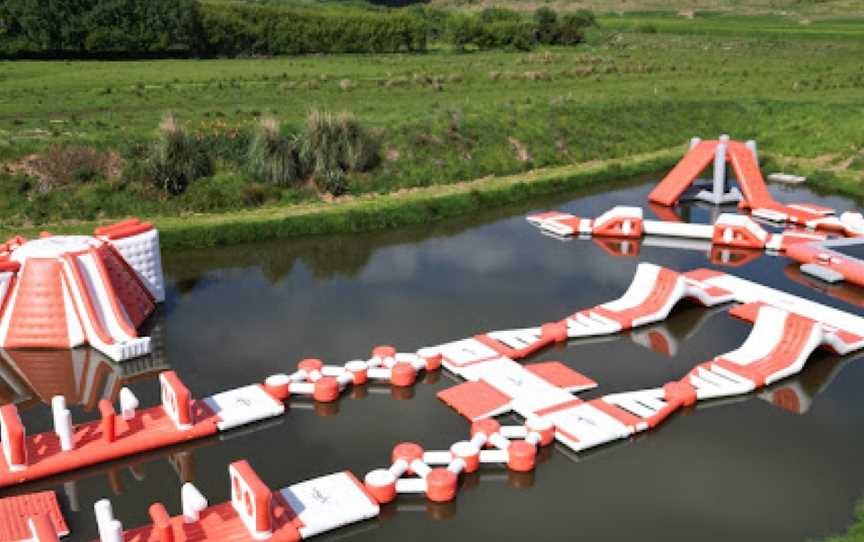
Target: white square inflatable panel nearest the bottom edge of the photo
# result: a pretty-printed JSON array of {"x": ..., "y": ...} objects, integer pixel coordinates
[{"x": 329, "y": 502}]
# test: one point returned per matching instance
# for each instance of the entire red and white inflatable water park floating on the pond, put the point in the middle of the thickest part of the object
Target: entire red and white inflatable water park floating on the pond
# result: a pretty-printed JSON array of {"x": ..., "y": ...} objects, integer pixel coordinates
[{"x": 60, "y": 292}]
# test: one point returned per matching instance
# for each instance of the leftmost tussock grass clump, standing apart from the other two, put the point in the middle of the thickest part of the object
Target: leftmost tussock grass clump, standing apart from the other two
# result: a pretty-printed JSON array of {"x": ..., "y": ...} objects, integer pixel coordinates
[{"x": 177, "y": 158}]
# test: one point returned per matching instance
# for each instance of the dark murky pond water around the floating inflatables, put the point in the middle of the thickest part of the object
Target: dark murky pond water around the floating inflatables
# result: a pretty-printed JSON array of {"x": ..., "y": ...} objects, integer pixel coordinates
[{"x": 745, "y": 469}]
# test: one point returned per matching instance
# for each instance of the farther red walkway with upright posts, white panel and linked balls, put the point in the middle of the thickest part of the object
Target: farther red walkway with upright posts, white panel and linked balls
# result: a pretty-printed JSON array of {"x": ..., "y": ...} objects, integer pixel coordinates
[{"x": 181, "y": 418}]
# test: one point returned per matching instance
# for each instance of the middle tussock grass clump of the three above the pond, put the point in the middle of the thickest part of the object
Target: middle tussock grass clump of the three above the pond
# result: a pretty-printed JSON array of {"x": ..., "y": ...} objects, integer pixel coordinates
[{"x": 273, "y": 156}]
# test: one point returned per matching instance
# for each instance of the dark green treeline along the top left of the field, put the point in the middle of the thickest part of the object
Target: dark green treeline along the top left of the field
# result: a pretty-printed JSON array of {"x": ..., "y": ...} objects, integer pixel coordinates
[{"x": 156, "y": 28}]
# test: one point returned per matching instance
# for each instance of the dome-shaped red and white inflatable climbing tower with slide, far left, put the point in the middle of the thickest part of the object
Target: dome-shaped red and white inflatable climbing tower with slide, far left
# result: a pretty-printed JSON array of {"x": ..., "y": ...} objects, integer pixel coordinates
[{"x": 66, "y": 291}]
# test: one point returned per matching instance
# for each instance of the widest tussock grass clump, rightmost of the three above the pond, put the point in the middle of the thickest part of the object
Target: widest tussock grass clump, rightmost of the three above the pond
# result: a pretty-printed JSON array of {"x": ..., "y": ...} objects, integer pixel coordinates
[{"x": 334, "y": 145}]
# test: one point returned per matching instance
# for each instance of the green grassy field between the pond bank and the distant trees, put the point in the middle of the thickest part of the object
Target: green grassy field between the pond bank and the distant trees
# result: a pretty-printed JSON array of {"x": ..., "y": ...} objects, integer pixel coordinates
[{"x": 443, "y": 116}]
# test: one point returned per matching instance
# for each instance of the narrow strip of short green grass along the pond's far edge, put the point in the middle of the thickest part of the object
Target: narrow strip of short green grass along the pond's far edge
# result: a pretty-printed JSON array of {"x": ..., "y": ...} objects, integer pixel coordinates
[{"x": 373, "y": 212}]
